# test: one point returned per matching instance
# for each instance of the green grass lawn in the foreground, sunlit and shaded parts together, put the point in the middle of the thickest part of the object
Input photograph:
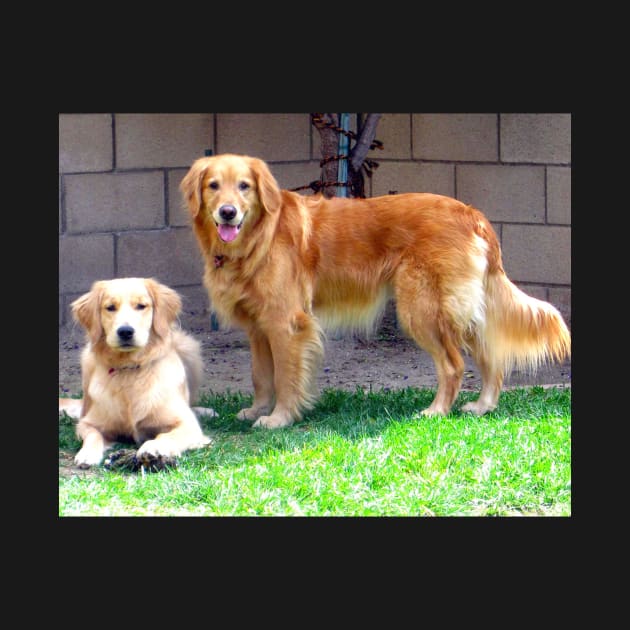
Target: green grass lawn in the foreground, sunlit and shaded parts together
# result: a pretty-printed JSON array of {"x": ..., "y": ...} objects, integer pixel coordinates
[{"x": 354, "y": 454}]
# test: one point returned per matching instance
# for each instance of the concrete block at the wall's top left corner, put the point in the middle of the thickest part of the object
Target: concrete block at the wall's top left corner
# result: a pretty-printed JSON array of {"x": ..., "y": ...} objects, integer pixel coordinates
[{"x": 85, "y": 143}]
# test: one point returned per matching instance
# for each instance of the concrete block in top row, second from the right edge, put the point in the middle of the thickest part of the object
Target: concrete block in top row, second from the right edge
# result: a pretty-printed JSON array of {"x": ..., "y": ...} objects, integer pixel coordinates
[{"x": 455, "y": 137}]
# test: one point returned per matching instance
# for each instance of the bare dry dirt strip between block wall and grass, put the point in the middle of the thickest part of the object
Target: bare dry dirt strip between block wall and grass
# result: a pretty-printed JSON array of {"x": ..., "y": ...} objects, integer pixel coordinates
[{"x": 385, "y": 360}]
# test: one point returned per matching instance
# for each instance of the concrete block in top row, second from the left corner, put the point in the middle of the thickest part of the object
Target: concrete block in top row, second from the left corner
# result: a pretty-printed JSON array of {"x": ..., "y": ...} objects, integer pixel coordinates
[{"x": 162, "y": 140}]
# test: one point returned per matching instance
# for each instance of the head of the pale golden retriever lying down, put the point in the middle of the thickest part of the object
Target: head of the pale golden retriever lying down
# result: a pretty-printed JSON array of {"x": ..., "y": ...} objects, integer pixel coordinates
[{"x": 124, "y": 312}]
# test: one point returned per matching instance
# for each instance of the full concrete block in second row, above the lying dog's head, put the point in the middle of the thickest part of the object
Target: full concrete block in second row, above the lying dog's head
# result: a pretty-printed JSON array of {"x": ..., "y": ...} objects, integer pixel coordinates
[{"x": 114, "y": 201}]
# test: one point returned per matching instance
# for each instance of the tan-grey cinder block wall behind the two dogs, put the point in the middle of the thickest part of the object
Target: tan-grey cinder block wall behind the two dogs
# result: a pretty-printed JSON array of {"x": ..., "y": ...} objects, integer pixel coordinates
[{"x": 120, "y": 211}]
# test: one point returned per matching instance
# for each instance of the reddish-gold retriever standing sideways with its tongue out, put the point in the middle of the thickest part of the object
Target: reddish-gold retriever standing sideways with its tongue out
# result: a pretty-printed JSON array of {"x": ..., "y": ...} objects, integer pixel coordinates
[{"x": 278, "y": 263}]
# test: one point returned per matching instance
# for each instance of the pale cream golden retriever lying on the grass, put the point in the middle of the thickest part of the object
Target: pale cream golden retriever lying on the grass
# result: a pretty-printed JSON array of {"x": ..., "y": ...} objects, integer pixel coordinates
[{"x": 139, "y": 372}]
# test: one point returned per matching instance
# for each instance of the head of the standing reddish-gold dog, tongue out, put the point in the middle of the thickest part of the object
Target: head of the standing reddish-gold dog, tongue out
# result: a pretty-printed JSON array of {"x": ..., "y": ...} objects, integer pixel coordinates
[{"x": 232, "y": 190}]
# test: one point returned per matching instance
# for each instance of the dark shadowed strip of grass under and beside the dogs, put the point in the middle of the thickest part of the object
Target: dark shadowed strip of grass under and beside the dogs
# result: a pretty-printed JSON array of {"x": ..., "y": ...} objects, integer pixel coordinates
[{"x": 341, "y": 414}]
